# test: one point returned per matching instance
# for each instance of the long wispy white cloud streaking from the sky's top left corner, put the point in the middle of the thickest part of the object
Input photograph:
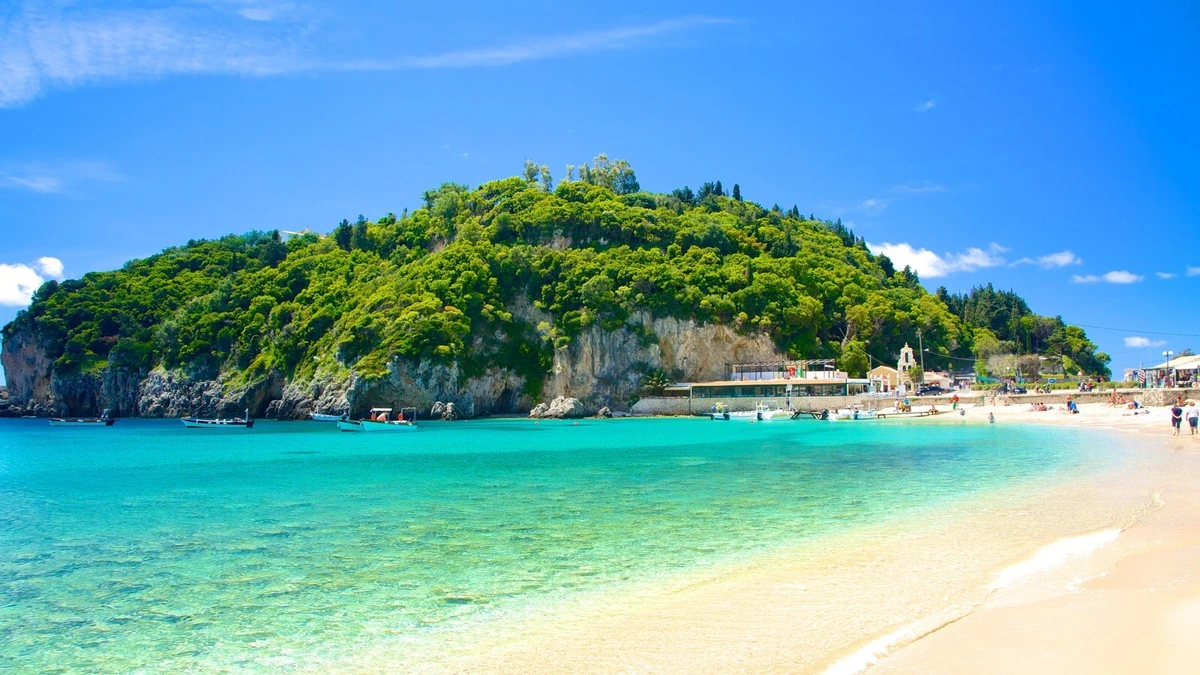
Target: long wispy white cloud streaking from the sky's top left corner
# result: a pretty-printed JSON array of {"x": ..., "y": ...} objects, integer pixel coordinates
[{"x": 47, "y": 46}]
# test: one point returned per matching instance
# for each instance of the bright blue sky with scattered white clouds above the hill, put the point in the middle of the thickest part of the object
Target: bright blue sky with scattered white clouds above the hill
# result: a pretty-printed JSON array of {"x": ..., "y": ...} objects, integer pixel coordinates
[{"x": 1051, "y": 151}]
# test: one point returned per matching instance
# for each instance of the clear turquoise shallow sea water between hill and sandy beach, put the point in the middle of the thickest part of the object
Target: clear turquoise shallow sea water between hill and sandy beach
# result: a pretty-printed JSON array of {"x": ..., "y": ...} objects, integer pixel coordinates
[{"x": 157, "y": 548}]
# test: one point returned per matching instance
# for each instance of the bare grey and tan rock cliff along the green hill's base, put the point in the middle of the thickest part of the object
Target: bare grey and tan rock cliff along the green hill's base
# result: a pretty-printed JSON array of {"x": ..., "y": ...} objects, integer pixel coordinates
[{"x": 601, "y": 368}]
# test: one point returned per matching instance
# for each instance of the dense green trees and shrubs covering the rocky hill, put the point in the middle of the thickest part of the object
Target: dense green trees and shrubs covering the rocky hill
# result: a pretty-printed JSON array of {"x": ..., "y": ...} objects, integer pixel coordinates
[{"x": 501, "y": 277}]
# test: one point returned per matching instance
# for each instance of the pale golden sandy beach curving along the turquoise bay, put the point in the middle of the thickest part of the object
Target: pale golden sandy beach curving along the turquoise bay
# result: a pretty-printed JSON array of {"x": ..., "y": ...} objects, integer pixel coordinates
[{"x": 1096, "y": 577}]
